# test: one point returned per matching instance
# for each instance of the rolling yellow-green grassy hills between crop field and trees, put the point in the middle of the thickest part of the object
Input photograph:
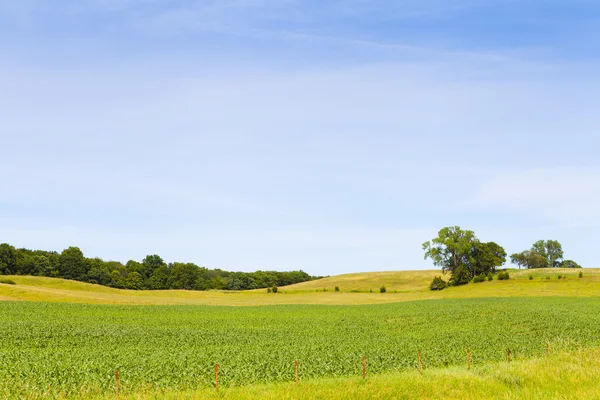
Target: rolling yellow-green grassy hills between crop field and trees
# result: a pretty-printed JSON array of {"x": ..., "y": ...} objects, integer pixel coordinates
[{"x": 354, "y": 289}]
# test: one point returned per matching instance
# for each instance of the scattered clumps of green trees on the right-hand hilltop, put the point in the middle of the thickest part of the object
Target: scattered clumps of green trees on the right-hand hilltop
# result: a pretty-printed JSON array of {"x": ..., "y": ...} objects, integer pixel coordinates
[{"x": 460, "y": 253}]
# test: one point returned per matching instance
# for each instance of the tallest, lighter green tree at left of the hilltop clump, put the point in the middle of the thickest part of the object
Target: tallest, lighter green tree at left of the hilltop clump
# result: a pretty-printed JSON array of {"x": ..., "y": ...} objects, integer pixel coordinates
[{"x": 452, "y": 249}]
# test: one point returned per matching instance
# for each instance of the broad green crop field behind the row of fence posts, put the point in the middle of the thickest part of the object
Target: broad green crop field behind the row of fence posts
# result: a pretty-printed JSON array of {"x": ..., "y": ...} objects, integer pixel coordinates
[{"x": 49, "y": 349}]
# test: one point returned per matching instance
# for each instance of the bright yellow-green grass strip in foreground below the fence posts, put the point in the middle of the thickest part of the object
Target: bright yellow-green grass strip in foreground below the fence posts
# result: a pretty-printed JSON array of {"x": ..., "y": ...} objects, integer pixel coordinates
[{"x": 573, "y": 375}]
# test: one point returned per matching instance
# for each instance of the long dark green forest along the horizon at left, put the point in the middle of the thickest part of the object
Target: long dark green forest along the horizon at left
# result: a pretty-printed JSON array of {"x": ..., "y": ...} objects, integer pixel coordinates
[{"x": 151, "y": 274}]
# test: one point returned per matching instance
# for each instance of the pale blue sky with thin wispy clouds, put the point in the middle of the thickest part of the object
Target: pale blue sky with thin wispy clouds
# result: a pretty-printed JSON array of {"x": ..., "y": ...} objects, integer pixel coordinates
[{"x": 327, "y": 136}]
